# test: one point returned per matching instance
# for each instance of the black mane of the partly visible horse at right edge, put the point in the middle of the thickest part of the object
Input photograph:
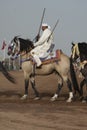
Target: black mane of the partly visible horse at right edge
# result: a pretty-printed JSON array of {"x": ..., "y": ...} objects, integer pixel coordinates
[{"x": 83, "y": 50}]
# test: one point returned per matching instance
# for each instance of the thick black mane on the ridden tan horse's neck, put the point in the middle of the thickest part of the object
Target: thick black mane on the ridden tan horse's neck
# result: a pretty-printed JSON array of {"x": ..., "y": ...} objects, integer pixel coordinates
[{"x": 25, "y": 44}]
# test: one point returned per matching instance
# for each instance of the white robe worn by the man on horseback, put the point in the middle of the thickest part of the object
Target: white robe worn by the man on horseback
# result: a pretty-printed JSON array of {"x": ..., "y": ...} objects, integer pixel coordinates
[{"x": 43, "y": 45}]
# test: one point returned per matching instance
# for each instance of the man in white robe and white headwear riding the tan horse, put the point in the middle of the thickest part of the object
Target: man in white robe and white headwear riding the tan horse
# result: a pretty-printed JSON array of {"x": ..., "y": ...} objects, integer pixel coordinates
[{"x": 44, "y": 45}]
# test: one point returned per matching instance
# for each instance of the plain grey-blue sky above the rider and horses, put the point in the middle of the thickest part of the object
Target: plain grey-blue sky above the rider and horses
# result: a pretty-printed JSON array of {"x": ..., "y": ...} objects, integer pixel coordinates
[{"x": 23, "y": 17}]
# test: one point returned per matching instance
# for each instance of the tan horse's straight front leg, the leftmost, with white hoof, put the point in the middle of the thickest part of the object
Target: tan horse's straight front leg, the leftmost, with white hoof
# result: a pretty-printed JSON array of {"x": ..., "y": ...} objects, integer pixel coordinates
[{"x": 26, "y": 80}]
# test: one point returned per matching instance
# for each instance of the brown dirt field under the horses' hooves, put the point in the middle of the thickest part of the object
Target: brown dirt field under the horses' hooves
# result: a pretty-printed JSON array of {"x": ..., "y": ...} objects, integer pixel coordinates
[{"x": 43, "y": 114}]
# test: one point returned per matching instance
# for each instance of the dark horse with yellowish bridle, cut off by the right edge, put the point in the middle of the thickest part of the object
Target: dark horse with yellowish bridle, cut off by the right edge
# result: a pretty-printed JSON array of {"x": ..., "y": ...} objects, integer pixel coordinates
[{"x": 79, "y": 57}]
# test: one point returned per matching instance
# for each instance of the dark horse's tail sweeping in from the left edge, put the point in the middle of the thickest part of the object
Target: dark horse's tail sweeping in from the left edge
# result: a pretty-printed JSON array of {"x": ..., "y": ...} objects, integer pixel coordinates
[{"x": 6, "y": 74}]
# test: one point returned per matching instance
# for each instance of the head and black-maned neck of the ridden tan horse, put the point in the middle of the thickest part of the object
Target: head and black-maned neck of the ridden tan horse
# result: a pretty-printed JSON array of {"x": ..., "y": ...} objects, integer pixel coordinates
[{"x": 19, "y": 45}]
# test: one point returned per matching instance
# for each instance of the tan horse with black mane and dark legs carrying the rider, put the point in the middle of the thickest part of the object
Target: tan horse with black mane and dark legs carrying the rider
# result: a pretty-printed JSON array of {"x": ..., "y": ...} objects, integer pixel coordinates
[{"x": 62, "y": 67}]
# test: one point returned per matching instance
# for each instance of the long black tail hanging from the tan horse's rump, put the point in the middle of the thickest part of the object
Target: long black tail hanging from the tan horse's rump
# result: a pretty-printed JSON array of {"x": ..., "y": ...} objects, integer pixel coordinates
[{"x": 73, "y": 77}]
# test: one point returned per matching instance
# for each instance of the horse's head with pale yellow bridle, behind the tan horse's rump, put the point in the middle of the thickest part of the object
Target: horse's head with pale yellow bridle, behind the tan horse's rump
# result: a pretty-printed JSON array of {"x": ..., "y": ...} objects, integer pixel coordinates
[{"x": 75, "y": 52}]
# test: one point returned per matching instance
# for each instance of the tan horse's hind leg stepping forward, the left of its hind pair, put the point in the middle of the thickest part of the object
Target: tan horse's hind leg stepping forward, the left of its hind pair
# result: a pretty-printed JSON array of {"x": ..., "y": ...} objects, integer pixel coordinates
[{"x": 60, "y": 84}]
